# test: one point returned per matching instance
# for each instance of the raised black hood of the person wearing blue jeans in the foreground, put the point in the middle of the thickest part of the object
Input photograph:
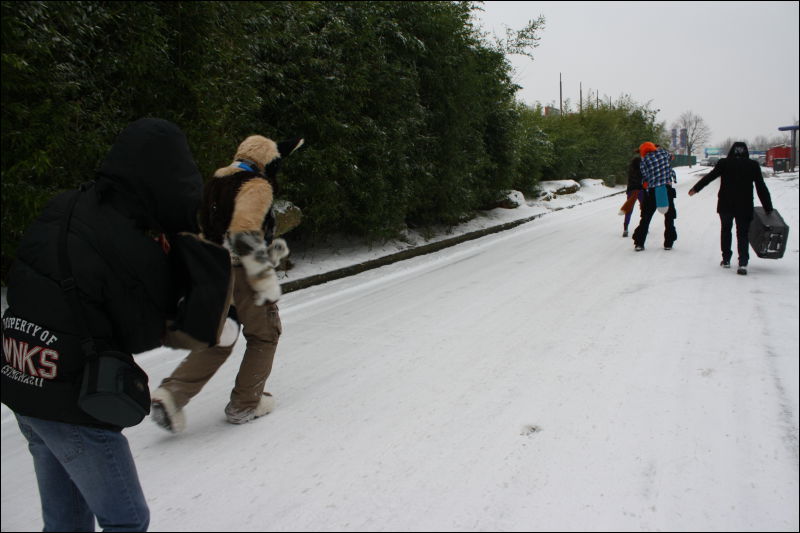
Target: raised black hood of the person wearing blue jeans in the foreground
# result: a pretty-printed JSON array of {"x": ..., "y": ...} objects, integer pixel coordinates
[{"x": 151, "y": 163}]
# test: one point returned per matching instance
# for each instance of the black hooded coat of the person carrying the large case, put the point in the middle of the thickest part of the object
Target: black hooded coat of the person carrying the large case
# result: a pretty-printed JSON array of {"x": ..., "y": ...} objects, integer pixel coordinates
[{"x": 738, "y": 174}]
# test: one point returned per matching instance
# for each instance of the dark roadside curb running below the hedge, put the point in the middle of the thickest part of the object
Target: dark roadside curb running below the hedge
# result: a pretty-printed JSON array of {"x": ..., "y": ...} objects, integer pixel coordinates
[{"x": 318, "y": 279}]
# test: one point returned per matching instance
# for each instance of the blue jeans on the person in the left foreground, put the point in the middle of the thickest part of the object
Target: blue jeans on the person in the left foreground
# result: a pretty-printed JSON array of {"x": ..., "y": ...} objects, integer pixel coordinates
[{"x": 84, "y": 473}]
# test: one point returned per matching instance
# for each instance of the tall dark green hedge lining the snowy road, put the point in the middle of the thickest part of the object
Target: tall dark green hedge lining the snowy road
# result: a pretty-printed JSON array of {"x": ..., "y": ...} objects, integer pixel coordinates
[{"x": 408, "y": 112}]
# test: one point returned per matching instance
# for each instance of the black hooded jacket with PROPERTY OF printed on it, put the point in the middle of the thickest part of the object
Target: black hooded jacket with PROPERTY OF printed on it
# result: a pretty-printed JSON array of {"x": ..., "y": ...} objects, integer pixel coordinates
[{"x": 147, "y": 184}]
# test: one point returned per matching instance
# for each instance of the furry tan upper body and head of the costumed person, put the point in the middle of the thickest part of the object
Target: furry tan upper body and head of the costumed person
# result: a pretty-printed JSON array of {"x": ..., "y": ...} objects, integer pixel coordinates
[{"x": 241, "y": 197}]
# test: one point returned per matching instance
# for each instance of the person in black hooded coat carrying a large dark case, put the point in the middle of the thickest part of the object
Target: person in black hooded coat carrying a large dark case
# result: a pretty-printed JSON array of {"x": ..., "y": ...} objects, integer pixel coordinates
[{"x": 738, "y": 174}]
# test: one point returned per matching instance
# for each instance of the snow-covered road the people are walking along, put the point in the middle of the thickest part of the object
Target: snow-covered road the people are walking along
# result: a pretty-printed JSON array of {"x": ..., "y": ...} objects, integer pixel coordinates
[{"x": 540, "y": 379}]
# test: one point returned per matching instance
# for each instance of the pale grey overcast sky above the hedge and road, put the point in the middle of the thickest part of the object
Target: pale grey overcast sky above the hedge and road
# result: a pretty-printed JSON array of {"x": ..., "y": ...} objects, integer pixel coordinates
[{"x": 735, "y": 64}]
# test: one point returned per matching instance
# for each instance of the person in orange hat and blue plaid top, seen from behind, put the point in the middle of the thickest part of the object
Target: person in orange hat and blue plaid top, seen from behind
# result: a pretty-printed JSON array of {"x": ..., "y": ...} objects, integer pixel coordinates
[{"x": 656, "y": 172}]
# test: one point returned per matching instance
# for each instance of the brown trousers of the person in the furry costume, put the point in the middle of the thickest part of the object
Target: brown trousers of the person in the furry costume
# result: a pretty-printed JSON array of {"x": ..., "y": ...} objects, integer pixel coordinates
[{"x": 262, "y": 328}]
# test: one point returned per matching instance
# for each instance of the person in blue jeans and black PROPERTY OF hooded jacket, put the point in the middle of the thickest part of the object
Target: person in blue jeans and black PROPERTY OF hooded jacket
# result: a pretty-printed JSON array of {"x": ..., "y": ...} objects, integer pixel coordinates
[{"x": 146, "y": 192}]
